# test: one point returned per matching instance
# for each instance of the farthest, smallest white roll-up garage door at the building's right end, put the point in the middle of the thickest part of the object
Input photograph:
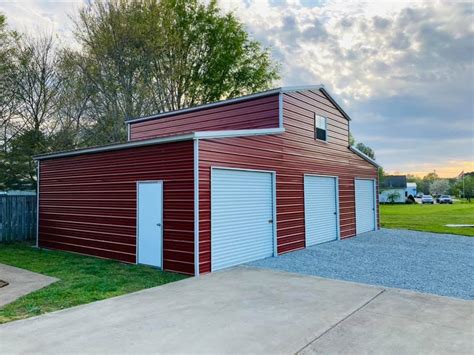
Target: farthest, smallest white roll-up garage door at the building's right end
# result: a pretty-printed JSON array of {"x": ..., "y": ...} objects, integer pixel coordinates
[{"x": 365, "y": 205}]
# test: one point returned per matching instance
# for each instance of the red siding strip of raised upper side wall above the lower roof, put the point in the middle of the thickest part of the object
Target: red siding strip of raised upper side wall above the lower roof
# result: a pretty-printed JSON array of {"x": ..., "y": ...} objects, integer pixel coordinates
[{"x": 256, "y": 113}]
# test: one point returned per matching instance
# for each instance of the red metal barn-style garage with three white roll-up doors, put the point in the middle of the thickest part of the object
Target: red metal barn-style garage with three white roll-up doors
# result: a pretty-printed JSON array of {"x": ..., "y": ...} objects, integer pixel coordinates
[{"x": 213, "y": 186}]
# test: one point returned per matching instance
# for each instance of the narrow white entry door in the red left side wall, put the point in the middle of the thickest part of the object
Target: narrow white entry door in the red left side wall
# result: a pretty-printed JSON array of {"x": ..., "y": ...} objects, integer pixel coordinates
[{"x": 150, "y": 223}]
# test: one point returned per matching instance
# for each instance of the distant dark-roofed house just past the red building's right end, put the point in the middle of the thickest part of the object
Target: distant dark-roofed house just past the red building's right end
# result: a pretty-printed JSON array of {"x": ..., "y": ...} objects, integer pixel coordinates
[{"x": 397, "y": 186}]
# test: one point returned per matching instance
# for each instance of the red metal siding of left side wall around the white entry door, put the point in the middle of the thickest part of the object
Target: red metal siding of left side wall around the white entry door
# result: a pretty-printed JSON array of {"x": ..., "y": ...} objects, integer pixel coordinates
[{"x": 88, "y": 202}]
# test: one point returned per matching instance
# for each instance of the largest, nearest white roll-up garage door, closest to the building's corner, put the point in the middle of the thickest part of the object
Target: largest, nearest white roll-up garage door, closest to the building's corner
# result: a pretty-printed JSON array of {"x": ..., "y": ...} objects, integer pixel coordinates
[{"x": 241, "y": 217}]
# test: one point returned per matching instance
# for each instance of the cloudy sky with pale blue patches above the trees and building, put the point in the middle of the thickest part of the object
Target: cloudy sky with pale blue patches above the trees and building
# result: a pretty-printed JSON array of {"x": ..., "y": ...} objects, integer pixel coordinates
[{"x": 403, "y": 70}]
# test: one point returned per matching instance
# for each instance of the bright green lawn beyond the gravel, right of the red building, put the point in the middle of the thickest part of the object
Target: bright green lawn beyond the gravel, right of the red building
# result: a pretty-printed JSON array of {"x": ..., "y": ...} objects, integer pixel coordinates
[{"x": 429, "y": 218}]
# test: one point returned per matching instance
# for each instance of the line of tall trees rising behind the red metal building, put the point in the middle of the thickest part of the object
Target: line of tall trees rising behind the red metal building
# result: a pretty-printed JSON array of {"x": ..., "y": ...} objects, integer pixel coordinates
[{"x": 131, "y": 59}]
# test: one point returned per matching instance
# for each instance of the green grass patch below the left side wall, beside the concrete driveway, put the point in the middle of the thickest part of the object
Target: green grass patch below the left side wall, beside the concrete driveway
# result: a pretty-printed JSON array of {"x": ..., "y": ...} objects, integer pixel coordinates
[{"x": 82, "y": 279}]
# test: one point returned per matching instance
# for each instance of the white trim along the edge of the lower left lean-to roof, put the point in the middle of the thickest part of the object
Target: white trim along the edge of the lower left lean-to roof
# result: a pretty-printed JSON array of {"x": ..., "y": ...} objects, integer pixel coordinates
[{"x": 162, "y": 140}]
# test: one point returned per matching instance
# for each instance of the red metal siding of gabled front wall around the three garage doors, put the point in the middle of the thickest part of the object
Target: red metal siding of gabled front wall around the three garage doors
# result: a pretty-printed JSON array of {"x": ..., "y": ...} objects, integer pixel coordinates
[{"x": 291, "y": 155}]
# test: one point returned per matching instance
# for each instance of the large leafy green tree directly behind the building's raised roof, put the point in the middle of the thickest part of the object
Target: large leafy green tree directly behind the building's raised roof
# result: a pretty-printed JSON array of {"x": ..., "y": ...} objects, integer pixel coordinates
[{"x": 144, "y": 57}]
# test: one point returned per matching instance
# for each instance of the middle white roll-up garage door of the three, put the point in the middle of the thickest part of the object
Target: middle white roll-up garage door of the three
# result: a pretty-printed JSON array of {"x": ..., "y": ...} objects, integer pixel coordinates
[{"x": 321, "y": 209}]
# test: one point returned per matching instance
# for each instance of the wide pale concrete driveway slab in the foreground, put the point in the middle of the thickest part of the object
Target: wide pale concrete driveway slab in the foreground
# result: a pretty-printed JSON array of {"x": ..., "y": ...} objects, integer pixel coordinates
[{"x": 245, "y": 310}]
